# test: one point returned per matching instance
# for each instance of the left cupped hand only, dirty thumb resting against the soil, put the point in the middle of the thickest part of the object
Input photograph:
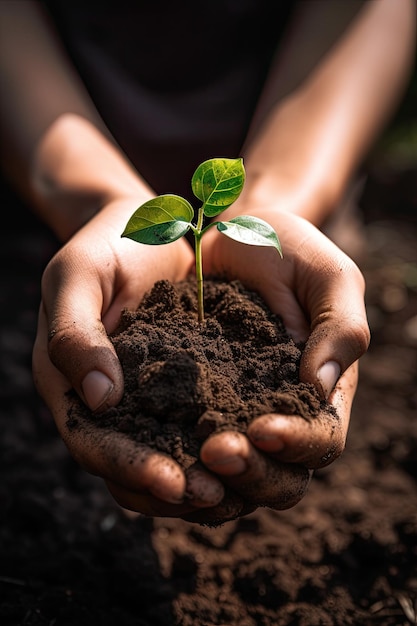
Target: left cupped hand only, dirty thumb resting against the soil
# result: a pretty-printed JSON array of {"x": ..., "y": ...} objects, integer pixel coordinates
[{"x": 84, "y": 288}]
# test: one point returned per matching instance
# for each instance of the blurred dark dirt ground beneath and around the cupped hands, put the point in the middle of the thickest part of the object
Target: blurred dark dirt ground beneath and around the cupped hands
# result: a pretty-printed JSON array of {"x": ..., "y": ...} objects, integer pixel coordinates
[{"x": 346, "y": 554}]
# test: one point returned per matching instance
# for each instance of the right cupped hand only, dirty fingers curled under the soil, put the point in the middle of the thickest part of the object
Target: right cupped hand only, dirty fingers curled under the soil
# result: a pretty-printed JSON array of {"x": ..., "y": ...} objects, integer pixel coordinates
[{"x": 319, "y": 292}]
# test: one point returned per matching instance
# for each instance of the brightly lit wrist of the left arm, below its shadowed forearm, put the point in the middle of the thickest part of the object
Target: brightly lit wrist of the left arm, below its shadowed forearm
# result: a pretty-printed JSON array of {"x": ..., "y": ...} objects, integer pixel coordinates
[{"x": 76, "y": 171}]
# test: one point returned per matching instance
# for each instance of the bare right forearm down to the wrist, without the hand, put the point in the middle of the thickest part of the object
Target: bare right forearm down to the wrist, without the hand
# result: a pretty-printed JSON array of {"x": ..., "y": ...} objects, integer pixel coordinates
[{"x": 311, "y": 143}]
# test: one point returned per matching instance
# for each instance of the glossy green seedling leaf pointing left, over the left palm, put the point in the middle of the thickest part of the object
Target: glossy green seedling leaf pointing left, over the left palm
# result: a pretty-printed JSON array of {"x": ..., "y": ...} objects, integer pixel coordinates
[{"x": 160, "y": 220}]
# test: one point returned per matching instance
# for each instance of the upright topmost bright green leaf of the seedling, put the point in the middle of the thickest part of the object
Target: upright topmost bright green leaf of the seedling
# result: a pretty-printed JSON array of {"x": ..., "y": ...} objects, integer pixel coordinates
[{"x": 218, "y": 183}]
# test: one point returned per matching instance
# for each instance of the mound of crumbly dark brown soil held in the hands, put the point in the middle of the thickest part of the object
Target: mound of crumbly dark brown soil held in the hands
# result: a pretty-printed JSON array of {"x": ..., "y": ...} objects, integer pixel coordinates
[{"x": 185, "y": 380}]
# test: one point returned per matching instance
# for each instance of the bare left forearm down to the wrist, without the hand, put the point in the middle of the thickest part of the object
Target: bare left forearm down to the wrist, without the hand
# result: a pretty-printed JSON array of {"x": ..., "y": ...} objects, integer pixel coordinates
[{"x": 54, "y": 146}]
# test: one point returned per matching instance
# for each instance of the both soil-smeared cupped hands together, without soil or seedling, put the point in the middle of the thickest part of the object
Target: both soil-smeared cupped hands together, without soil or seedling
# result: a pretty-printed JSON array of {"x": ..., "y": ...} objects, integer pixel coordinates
[{"x": 97, "y": 273}]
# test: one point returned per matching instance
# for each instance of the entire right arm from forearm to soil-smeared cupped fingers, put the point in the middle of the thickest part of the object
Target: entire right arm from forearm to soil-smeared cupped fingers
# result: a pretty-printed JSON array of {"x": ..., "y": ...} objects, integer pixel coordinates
[{"x": 301, "y": 152}]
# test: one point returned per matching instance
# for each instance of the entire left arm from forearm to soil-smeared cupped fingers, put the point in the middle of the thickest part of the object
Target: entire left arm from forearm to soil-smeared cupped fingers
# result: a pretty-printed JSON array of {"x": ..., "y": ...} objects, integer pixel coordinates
[{"x": 58, "y": 153}]
